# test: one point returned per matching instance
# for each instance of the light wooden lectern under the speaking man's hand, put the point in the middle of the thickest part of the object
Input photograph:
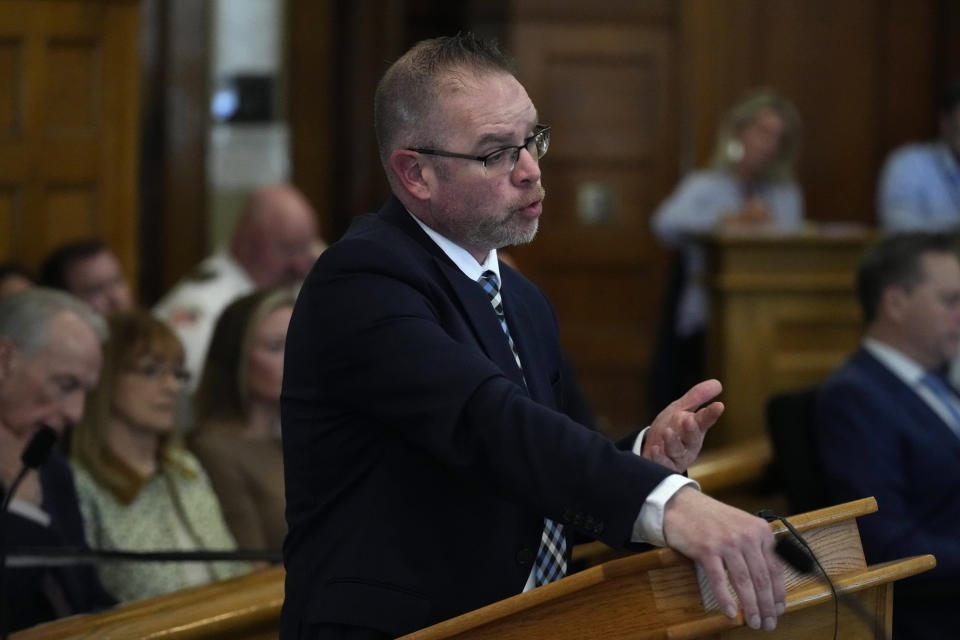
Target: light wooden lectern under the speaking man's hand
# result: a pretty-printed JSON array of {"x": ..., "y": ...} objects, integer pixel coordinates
[{"x": 658, "y": 595}]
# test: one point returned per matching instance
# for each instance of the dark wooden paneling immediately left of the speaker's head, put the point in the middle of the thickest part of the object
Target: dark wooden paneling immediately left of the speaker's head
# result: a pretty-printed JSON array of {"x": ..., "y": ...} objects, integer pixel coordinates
[{"x": 337, "y": 53}]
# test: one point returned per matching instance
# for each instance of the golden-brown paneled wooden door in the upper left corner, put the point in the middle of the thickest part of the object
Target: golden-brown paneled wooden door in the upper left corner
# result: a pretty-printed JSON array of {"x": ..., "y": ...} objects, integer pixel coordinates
[{"x": 68, "y": 126}]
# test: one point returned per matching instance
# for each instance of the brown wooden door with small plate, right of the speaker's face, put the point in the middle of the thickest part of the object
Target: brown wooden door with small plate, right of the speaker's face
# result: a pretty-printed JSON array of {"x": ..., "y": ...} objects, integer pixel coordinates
[{"x": 608, "y": 90}]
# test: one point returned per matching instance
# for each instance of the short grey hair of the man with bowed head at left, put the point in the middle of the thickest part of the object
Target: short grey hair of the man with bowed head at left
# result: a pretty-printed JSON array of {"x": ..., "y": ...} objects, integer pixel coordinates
[{"x": 25, "y": 317}]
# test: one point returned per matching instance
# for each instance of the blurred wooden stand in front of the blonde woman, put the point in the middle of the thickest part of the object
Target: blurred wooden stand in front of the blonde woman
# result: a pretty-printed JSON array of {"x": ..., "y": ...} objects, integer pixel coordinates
[{"x": 783, "y": 315}]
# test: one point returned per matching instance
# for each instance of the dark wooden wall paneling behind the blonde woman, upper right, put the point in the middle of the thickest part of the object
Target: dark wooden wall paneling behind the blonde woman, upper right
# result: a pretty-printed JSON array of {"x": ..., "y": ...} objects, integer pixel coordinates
[{"x": 859, "y": 72}]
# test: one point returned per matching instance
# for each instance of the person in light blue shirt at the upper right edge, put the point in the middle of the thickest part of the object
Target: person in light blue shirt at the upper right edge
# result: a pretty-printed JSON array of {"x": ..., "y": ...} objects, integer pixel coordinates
[{"x": 920, "y": 183}]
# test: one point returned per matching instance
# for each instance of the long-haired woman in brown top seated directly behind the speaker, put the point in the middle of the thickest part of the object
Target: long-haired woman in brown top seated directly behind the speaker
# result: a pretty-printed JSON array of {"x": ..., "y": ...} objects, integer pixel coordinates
[{"x": 237, "y": 434}]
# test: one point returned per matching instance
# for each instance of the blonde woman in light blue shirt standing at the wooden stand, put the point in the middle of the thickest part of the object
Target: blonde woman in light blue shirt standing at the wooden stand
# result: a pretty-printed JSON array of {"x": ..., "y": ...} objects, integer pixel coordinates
[{"x": 750, "y": 184}]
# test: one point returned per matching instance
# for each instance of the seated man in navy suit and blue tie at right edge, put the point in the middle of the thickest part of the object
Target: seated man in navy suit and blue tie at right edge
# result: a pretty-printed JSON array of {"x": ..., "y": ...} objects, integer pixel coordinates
[{"x": 889, "y": 426}]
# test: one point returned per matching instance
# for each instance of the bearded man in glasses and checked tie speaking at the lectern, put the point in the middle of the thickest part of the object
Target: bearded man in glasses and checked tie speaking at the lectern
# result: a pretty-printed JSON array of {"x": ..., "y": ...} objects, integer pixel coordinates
[{"x": 429, "y": 468}]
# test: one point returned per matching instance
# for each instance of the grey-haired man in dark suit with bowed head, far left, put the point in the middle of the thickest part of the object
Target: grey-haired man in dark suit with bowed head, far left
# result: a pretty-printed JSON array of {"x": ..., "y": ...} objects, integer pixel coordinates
[{"x": 49, "y": 358}]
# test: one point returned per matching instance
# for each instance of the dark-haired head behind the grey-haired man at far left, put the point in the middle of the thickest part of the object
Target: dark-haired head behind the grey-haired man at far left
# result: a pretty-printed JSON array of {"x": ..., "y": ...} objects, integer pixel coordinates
[{"x": 89, "y": 270}]
